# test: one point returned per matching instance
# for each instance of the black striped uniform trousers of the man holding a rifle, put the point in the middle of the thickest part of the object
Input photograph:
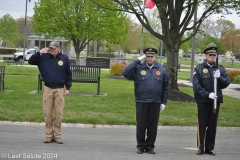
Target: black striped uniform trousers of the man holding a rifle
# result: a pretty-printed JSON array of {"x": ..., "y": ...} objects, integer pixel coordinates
[{"x": 207, "y": 126}]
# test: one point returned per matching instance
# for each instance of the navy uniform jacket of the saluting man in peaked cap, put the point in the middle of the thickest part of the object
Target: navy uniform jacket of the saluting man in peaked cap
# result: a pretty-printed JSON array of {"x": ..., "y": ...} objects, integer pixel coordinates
[{"x": 151, "y": 85}]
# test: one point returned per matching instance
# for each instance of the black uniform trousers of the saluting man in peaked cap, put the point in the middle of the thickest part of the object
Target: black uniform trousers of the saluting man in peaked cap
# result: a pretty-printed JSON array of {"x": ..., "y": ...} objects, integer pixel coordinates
[{"x": 147, "y": 116}]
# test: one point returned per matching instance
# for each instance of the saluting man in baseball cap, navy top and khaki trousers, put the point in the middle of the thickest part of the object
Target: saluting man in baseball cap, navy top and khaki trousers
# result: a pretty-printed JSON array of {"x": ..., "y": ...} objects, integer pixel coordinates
[{"x": 55, "y": 71}]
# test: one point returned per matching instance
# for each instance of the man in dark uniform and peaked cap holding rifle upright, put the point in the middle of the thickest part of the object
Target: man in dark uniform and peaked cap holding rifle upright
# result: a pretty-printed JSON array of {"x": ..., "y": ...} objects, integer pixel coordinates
[{"x": 203, "y": 86}]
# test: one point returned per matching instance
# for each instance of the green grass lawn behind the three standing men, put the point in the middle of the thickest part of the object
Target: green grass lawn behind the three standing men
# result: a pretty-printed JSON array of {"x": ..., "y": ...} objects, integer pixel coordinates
[{"x": 118, "y": 107}]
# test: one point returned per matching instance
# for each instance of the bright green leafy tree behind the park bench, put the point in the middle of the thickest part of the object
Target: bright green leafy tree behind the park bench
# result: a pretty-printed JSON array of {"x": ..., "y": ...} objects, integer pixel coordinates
[{"x": 79, "y": 21}]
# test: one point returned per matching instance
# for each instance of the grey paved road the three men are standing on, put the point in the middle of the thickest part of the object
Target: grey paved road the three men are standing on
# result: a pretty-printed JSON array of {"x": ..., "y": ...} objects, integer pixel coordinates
[{"x": 83, "y": 143}]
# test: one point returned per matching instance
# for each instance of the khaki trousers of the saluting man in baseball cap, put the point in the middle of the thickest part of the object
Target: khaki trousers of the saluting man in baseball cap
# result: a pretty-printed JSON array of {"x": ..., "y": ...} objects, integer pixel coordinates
[{"x": 53, "y": 101}]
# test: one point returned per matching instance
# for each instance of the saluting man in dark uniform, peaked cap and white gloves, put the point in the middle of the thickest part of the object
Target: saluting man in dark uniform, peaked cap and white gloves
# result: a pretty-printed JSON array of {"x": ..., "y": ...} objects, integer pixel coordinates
[{"x": 151, "y": 83}]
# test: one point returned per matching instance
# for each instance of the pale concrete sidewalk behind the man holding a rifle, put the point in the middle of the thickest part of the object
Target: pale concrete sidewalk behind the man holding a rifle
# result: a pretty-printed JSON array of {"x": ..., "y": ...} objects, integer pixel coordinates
[{"x": 229, "y": 91}]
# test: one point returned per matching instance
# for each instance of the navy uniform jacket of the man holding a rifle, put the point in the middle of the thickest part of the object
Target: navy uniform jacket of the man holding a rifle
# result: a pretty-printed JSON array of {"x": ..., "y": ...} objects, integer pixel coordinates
[{"x": 203, "y": 82}]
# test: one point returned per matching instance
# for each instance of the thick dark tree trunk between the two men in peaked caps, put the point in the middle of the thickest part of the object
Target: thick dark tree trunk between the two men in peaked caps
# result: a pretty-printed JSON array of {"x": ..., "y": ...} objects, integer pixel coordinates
[{"x": 172, "y": 66}]
